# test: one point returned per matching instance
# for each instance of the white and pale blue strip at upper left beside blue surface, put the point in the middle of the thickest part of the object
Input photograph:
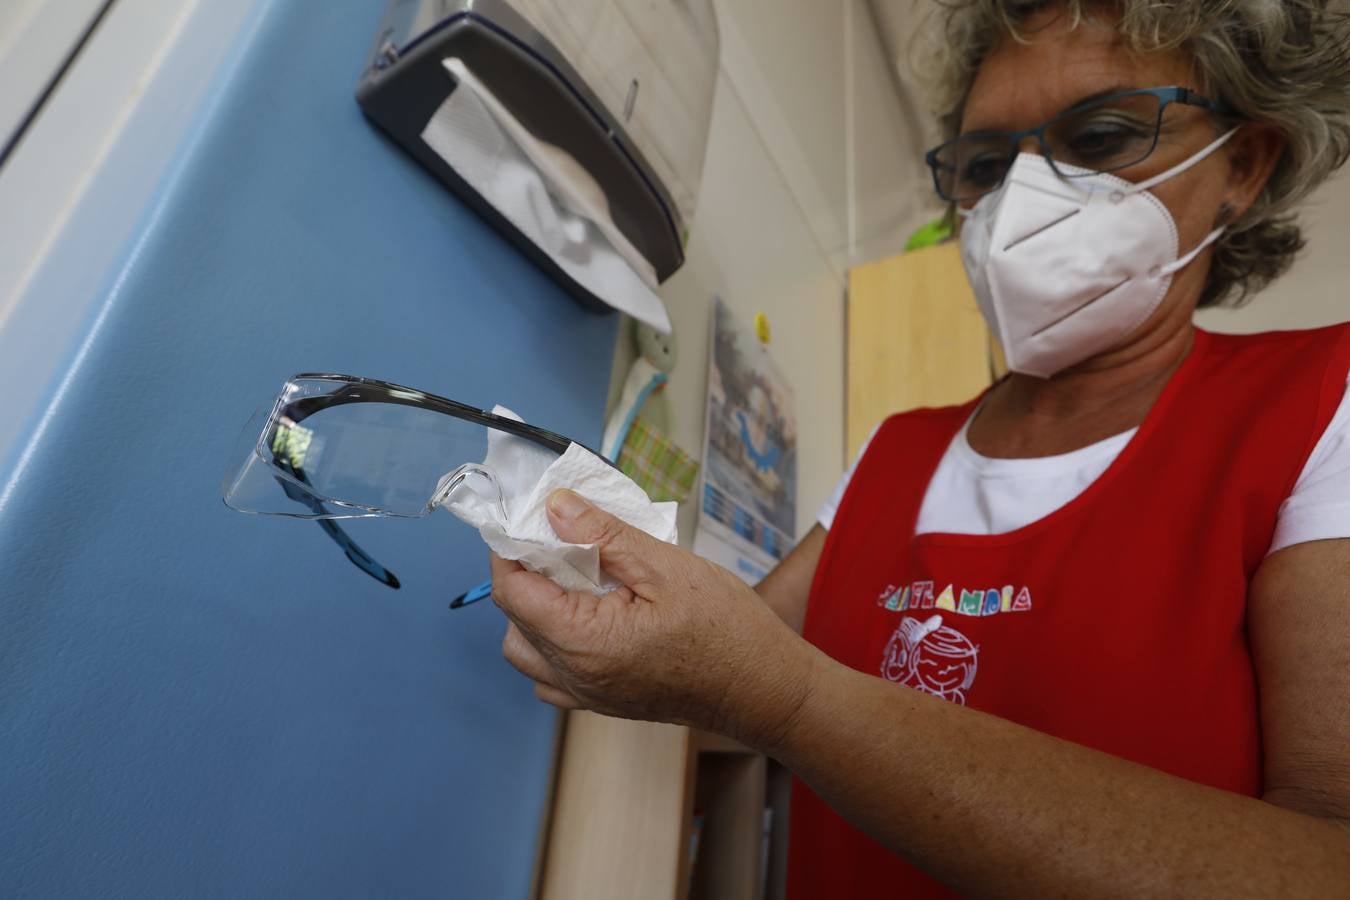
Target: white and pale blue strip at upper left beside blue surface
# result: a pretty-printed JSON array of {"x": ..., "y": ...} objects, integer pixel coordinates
[{"x": 74, "y": 191}]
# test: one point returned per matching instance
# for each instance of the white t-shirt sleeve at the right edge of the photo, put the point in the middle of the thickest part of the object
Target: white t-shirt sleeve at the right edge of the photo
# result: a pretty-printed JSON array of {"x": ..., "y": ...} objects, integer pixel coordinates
[{"x": 1318, "y": 509}]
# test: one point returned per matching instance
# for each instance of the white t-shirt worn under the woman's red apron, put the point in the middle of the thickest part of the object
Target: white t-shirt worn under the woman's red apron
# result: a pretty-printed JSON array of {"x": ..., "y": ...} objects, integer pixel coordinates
[{"x": 973, "y": 495}]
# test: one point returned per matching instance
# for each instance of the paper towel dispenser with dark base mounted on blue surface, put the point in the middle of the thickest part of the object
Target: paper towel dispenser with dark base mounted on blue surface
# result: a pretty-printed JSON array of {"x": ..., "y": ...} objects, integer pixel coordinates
[{"x": 623, "y": 87}]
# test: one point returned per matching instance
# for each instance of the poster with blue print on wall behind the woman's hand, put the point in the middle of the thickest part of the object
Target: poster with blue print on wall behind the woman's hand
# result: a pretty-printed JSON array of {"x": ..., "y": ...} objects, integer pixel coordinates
[{"x": 749, "y": 495}]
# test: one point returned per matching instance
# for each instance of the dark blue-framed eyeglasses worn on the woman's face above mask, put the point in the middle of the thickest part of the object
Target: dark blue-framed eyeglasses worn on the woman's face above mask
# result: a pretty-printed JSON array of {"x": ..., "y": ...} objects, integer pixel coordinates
[{"x": 1105, "y": 134}]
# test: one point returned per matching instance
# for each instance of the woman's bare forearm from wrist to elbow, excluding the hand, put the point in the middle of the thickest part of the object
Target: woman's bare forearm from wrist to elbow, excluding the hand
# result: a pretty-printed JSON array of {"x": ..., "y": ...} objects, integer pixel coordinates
[{"x": 996, "y": 809}]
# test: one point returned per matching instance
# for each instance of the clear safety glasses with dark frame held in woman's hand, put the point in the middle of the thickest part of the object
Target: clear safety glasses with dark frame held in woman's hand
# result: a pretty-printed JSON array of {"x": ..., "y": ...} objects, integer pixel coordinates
[{"x": 340, "y": 447}]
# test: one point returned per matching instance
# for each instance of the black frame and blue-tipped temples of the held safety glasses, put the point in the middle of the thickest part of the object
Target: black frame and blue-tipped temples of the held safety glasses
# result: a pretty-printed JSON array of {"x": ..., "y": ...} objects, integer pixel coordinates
[{"x": 353, "y": 389}]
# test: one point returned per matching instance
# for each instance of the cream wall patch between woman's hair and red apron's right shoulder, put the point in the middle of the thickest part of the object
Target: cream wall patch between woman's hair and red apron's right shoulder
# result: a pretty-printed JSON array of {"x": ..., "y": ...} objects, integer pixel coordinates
[{"x": 1317, "y": 291}]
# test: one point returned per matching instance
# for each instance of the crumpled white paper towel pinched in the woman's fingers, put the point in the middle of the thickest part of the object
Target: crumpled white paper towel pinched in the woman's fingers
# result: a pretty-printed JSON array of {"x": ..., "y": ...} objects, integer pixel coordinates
[{"x": 519, "y": 530}]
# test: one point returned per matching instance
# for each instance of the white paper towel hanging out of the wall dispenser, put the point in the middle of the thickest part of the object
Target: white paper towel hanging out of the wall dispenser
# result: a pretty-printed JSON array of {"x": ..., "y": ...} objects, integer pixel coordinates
[{"x": 545, "y": 194}]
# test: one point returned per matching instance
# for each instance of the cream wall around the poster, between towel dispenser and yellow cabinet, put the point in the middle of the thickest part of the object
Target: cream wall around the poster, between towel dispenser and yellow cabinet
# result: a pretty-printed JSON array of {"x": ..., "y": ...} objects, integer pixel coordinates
[{"x": 773, "y": 227}]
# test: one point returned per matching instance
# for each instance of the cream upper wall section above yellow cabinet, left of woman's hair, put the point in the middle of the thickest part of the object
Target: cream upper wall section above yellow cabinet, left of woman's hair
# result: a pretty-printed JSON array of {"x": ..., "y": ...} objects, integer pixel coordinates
[{"x": 817, "y": 84}]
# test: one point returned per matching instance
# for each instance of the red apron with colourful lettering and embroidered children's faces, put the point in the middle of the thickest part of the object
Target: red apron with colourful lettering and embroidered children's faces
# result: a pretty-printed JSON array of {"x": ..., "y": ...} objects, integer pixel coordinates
[{"x": 1116, "y": 623}]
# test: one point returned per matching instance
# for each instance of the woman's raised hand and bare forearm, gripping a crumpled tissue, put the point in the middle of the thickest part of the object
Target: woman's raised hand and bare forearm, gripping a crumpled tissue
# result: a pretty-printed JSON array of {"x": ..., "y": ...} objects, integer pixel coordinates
[{"x": 983, "y": 805}]
